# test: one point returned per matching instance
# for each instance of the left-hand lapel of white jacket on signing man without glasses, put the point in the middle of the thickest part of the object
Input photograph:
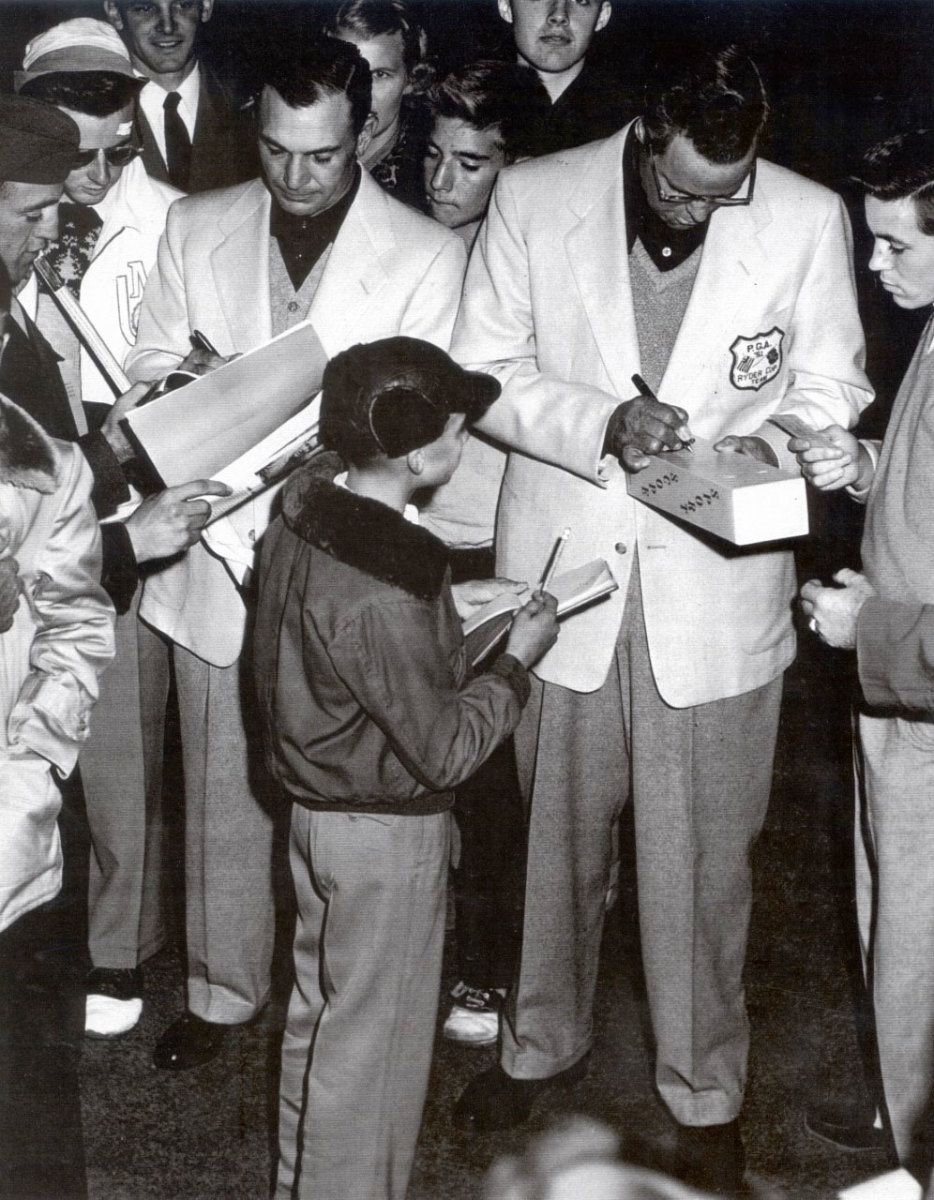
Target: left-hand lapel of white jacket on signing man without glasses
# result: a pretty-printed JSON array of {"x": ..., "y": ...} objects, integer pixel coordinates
[{"x": 241, "y": 268}]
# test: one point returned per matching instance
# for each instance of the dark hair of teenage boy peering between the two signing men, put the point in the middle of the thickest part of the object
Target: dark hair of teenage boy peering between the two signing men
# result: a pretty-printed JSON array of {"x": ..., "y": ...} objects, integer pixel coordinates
[{"x": 493, "y": 95}]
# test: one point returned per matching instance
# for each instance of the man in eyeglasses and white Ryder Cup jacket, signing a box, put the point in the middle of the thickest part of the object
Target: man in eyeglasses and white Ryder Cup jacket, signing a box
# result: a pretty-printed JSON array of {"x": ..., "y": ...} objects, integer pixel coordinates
[{"x": 672, "y": 251}]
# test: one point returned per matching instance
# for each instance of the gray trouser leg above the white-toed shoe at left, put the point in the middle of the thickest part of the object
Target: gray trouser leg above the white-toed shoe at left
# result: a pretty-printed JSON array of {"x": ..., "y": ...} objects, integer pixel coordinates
[{"x": 122, "y": 776}]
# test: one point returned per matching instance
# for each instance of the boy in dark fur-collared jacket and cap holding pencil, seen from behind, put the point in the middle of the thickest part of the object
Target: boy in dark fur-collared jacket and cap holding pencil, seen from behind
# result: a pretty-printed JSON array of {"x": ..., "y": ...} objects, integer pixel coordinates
[{"x": 370, "y": 722}]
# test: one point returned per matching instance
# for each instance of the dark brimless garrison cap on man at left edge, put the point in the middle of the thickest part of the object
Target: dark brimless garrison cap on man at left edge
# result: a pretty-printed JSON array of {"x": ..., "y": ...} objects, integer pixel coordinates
[{"x": 38, "y": 142}]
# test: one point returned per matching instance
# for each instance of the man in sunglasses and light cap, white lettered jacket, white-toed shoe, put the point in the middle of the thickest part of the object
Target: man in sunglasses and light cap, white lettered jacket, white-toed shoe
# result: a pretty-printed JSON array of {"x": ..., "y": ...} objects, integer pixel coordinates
[{"x": 110, "y": 221}]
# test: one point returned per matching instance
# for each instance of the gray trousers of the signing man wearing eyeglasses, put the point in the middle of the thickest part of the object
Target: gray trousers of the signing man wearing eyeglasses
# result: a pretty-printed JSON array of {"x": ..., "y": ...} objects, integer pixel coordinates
[{"x": 699, "y": 779}]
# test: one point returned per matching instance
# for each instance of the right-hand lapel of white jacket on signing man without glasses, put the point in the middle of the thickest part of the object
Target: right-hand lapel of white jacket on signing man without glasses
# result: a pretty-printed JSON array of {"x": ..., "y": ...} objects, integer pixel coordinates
[{"x": 355, "y": 275}]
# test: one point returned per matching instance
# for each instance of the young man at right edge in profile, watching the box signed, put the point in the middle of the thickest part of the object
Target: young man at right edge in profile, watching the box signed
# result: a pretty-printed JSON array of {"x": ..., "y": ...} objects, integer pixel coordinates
[{"x": 885, "y": 616}]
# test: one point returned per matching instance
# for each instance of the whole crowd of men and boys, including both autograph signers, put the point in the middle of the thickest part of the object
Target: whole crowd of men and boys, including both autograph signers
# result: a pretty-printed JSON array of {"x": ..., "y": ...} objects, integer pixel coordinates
[{"x": 526, "y": 283}]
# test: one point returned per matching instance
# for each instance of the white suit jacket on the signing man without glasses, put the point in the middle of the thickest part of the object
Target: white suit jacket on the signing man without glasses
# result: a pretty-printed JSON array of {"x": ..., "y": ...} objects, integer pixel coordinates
[{"x": 391, "y": 272}]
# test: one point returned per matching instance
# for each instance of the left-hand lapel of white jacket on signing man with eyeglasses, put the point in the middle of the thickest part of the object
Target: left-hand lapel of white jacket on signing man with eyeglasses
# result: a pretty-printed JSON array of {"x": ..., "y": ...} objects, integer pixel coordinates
[{"x": 598, "y": 257}]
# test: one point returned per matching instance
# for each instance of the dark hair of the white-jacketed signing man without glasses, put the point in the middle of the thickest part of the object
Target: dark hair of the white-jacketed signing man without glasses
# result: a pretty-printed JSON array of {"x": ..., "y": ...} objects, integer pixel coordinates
[{"x": 306, "y": 71}]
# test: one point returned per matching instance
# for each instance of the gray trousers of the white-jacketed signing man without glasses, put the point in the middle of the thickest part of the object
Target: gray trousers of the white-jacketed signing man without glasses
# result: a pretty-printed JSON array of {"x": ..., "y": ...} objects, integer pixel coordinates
[{"x": 230, "y": 915}]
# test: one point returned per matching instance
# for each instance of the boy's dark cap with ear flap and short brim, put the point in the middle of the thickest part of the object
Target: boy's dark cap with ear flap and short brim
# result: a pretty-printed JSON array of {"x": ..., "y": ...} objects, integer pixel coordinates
[{"x": 397, "y": 395}]
